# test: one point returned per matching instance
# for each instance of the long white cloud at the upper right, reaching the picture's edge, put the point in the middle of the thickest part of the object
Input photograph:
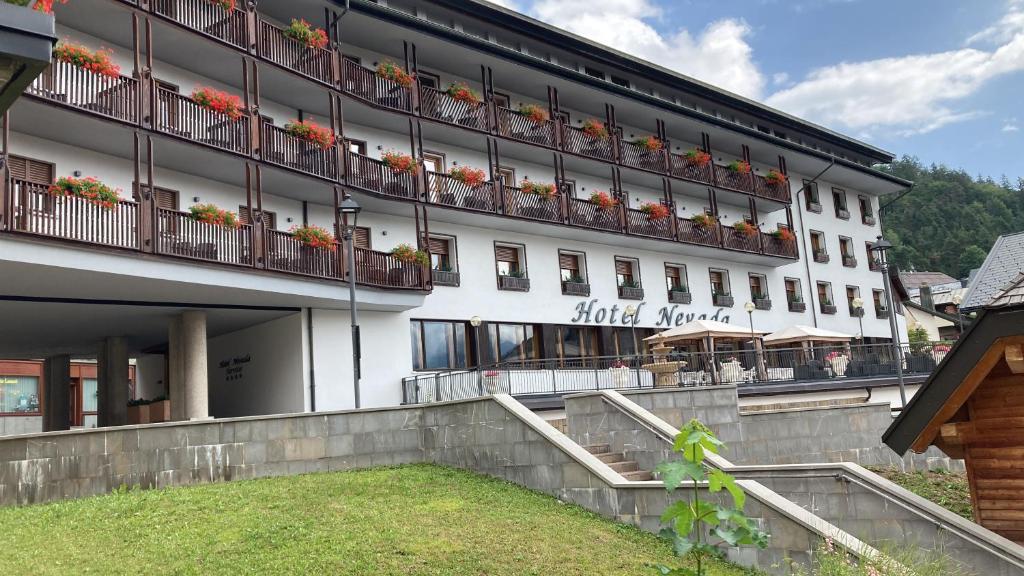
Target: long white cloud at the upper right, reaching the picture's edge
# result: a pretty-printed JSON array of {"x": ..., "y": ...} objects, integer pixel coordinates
[{"x": 910, "y": 95}]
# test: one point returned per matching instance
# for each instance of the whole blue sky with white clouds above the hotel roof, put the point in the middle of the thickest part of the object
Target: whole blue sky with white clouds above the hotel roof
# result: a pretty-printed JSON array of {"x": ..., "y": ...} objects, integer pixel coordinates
[{"x": 943, "y": 80}]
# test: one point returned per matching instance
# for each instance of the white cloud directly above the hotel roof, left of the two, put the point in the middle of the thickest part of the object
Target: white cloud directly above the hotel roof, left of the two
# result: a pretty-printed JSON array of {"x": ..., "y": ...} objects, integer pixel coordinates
[{"x": 720, "y": 55}]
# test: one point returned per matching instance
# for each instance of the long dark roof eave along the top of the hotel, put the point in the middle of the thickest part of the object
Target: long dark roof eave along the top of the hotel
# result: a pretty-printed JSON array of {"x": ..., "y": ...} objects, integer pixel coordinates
[{"x": 543, "y": 32}]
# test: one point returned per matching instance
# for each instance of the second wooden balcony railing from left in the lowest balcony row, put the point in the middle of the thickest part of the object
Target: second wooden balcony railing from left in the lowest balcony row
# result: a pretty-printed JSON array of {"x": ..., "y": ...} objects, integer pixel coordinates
[{"x": 181, "y": 235}]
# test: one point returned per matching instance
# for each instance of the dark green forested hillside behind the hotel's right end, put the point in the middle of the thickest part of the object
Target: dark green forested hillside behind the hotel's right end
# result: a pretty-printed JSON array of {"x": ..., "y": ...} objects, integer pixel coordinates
[{"x": 951, "y": 220}]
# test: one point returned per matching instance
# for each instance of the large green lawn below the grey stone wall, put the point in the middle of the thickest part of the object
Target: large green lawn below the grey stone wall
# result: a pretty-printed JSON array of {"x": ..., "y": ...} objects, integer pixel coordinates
[{"x": 408, "y": 520}]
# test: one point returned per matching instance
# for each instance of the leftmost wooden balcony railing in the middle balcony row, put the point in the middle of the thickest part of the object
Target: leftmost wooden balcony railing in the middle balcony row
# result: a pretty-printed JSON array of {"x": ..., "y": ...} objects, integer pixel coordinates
[{"x": 65, "y": 84}]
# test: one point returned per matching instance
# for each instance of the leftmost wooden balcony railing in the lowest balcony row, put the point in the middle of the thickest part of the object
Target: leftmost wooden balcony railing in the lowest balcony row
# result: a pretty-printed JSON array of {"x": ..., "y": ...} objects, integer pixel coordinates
[{"x": 37, "y": 212}]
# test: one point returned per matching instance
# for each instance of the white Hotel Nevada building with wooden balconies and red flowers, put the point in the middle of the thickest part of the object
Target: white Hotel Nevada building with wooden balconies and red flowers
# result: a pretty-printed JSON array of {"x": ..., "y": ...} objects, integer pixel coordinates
[{"x": 553, "y": 184}]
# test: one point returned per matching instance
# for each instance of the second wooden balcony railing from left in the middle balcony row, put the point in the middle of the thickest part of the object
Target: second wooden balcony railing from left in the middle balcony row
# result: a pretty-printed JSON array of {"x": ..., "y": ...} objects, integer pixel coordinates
[{"x": 181, "y": 116}]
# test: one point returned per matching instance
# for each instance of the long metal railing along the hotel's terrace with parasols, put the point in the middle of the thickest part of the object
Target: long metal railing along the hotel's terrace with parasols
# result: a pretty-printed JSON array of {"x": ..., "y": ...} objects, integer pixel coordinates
[{"x": 745, "y": 367}]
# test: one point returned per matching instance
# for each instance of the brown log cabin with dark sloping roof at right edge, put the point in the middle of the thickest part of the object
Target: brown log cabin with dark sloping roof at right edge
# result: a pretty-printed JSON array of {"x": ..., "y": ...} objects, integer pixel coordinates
[{"x": 972, "y": 407}]
